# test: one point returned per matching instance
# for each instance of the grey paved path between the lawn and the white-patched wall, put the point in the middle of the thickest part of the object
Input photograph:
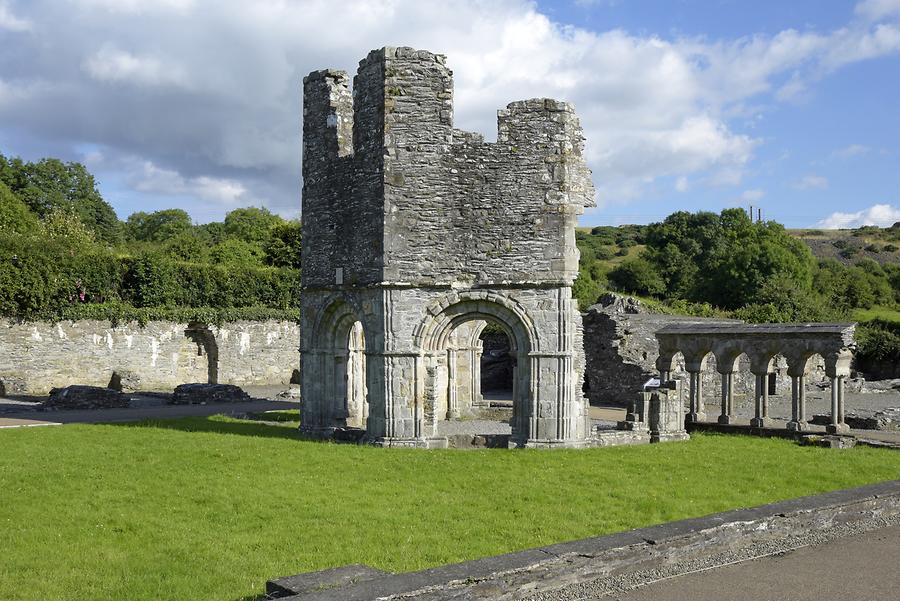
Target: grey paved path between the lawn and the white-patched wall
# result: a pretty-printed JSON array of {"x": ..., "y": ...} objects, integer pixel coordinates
[{"x": 93, "y": 416}]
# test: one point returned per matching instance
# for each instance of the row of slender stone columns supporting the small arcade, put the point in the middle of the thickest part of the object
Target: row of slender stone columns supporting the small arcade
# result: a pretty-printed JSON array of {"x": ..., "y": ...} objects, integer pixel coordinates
[{"x": 761, "y": 419}]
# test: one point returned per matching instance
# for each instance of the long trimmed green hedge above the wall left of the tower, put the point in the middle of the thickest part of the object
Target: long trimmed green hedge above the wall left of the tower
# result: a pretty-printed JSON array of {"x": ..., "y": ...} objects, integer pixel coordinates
[{"x": 49, "y": 280}]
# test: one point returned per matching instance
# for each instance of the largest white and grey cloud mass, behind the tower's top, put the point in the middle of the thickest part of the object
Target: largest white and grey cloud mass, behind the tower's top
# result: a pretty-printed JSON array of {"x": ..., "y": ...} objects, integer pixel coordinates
[{"x": 212, "y": 89}]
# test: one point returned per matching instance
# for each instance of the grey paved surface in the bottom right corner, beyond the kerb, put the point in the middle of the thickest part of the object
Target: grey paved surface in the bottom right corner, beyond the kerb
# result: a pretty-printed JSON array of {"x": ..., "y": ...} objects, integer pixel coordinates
[{"x": 863, "y": 567}]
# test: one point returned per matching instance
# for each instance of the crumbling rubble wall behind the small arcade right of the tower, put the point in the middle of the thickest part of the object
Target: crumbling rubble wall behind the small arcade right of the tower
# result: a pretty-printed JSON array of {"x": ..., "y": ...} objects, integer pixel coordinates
[{"x": 621, "y": 350}]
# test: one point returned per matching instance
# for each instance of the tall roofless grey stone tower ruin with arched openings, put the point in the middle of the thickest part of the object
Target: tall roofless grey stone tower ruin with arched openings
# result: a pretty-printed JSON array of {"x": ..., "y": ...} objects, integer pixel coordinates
[{"x": 416, "y": 235}]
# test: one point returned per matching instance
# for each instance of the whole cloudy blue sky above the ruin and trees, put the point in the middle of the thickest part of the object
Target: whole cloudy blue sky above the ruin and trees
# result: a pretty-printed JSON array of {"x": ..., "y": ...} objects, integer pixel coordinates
[{"x": 686, "y": 105}]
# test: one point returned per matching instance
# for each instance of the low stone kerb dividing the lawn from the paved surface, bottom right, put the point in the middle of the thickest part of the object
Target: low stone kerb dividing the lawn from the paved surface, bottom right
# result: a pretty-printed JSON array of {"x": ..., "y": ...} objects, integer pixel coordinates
[{"x": 554, "y": 567}]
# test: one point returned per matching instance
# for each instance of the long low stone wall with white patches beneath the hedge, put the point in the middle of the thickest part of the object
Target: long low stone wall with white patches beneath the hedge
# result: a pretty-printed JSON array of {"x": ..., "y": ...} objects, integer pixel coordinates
[{"x": 38, "y": 356}]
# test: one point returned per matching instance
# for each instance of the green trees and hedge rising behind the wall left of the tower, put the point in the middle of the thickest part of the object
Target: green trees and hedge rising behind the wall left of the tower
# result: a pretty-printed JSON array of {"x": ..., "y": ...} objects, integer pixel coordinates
[{"x": 65, "y": 254}]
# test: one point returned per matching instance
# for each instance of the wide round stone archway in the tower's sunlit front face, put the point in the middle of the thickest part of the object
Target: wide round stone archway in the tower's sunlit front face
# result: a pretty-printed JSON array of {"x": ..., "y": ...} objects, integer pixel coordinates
[{"x": 449, "y": 342}]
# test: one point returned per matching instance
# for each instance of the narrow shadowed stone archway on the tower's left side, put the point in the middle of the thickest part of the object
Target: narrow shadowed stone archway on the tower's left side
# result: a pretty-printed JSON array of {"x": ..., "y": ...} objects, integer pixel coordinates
[{"x": 340, "y": 398}]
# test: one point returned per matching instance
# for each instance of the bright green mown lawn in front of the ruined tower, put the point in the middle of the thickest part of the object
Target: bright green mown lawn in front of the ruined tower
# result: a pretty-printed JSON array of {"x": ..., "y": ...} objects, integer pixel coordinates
[{"x": 210, "y": 508}]
